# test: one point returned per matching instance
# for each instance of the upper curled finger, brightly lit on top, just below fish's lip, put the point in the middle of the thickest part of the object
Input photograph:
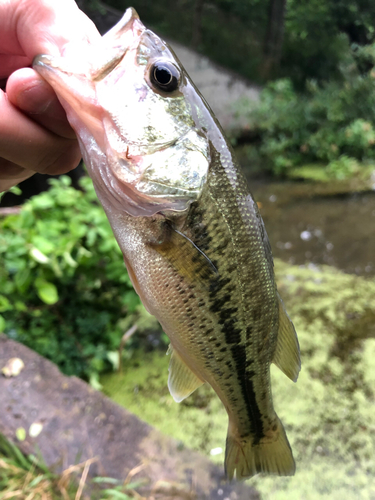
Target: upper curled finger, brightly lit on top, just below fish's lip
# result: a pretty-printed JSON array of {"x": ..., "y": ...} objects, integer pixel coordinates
[{"x": 34, "y": 96}]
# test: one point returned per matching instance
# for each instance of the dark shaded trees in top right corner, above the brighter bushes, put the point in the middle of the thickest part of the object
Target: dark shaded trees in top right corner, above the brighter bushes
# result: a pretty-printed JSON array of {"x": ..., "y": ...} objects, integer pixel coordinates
[{"x": 319, "y": 35}]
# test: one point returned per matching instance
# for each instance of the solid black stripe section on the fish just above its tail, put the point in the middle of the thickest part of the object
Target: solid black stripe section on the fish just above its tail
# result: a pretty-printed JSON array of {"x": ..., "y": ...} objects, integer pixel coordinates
[{"x": 248, "y": 393}]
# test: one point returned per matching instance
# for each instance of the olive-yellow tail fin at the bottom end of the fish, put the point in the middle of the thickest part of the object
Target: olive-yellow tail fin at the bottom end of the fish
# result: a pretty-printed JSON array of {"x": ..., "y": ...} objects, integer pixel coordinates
[{"x": 268, "y": 456}]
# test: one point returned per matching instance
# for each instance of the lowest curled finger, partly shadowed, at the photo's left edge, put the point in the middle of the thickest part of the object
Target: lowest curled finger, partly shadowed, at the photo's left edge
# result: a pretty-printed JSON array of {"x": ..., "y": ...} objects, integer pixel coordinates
[{"x": 30, "y": 146}]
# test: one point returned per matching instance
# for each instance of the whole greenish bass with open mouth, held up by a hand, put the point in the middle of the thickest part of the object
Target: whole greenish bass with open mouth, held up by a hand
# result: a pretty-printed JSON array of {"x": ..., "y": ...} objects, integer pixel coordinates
[{"x": 191, "y": 234}]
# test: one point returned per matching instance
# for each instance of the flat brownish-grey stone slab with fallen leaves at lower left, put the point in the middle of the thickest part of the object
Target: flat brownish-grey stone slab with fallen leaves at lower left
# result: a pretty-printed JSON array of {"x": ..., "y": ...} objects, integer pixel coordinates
[{"x": 69, "y": 422}]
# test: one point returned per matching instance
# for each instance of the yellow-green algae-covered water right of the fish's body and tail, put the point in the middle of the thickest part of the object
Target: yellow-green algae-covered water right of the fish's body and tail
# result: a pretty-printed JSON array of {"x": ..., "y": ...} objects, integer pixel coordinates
[{"x": 329, "y": 413}]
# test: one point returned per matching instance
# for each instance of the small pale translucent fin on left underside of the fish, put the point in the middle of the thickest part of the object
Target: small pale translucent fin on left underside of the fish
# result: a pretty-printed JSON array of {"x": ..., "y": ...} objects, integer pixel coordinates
[{"x": 181, "y": 381}]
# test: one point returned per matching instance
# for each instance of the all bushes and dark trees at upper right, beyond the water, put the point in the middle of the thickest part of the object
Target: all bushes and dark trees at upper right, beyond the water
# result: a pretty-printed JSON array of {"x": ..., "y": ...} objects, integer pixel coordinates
[{"x": 321, "y": 114}]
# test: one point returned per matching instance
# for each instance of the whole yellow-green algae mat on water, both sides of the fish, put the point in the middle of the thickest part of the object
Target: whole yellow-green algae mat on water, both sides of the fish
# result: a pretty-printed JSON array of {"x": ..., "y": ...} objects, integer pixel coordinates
[{"x": 328, "y": 415}]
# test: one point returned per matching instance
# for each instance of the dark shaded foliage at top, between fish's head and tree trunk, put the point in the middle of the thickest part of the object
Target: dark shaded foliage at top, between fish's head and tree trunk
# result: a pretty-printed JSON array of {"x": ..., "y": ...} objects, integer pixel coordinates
[{"x": 227, "y": 29}]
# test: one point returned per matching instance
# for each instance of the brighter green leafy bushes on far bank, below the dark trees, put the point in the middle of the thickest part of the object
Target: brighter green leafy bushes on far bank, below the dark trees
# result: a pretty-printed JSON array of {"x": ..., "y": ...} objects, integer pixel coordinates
[{"x": 332, "y": 124}]
